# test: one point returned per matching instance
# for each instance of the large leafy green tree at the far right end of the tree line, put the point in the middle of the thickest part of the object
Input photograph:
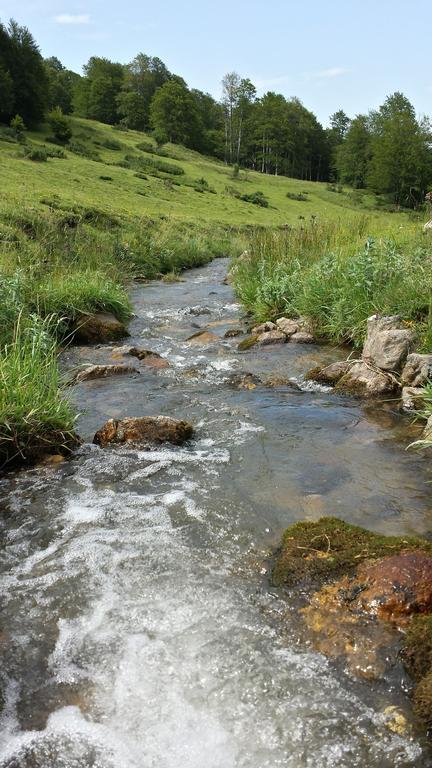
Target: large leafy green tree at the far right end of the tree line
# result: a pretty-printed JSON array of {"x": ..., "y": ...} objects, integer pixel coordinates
[{"x": 401, "y": 153}]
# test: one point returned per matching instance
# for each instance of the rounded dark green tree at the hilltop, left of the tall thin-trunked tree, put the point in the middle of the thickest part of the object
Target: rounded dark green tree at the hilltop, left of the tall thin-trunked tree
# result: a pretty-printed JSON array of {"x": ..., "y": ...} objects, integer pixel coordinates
[{"x": 174, "y": 115}]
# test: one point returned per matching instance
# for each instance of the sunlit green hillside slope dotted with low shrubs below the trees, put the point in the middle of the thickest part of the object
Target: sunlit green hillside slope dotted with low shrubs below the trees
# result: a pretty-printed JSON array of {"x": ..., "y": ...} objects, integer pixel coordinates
[{"x": 124, "y": 173}]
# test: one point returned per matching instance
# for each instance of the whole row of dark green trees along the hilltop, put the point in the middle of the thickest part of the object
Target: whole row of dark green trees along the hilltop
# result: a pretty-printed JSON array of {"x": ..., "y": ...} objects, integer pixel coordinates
[{"x": 389, "y": 150}]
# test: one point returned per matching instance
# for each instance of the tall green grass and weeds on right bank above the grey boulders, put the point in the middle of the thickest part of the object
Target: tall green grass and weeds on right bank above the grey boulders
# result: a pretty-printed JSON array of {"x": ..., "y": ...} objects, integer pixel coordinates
[{"x": 338, "y": 275}]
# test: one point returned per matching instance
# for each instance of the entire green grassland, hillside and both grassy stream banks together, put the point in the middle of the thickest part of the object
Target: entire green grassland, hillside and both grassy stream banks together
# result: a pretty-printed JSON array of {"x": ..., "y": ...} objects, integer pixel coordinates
[{"x": 76, "y": 223}]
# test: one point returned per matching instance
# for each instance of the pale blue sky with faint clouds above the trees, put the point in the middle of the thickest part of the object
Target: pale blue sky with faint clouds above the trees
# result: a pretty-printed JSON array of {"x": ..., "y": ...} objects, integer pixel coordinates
[{"x": 329, "y": 53}]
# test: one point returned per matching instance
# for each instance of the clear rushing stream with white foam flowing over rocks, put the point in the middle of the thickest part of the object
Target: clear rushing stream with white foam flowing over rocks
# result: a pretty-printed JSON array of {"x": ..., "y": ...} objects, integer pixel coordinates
[{"x": 138, "y": 625}]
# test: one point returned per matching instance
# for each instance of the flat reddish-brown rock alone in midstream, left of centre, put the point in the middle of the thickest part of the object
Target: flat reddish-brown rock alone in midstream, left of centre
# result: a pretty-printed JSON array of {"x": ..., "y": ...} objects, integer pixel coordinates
[{"x": 144, "y": 429}]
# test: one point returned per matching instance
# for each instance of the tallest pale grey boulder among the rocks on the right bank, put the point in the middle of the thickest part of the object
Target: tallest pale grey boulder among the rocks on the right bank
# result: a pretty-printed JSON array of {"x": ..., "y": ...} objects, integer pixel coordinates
[{"x": 388, "y": 343}]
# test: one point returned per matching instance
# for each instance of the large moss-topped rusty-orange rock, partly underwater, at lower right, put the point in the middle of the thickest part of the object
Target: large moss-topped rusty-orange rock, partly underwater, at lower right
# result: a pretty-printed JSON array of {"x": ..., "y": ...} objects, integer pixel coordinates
[{"x": 362, "y": 586}]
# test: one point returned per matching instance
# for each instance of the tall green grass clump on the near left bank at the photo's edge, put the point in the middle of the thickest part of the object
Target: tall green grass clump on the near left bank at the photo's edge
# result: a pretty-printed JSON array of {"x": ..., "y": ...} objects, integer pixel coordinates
[{"x": 34, "y": 413}]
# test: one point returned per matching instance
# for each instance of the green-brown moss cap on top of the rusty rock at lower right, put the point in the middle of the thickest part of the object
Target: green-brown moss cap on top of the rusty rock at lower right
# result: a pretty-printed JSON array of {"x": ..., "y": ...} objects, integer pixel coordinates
[{"x": 319, "y": 551}]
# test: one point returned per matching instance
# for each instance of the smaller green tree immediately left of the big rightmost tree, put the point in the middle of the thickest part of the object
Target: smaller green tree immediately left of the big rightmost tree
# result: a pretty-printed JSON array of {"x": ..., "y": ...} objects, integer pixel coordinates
[{"x": 353, "y": 154}]
